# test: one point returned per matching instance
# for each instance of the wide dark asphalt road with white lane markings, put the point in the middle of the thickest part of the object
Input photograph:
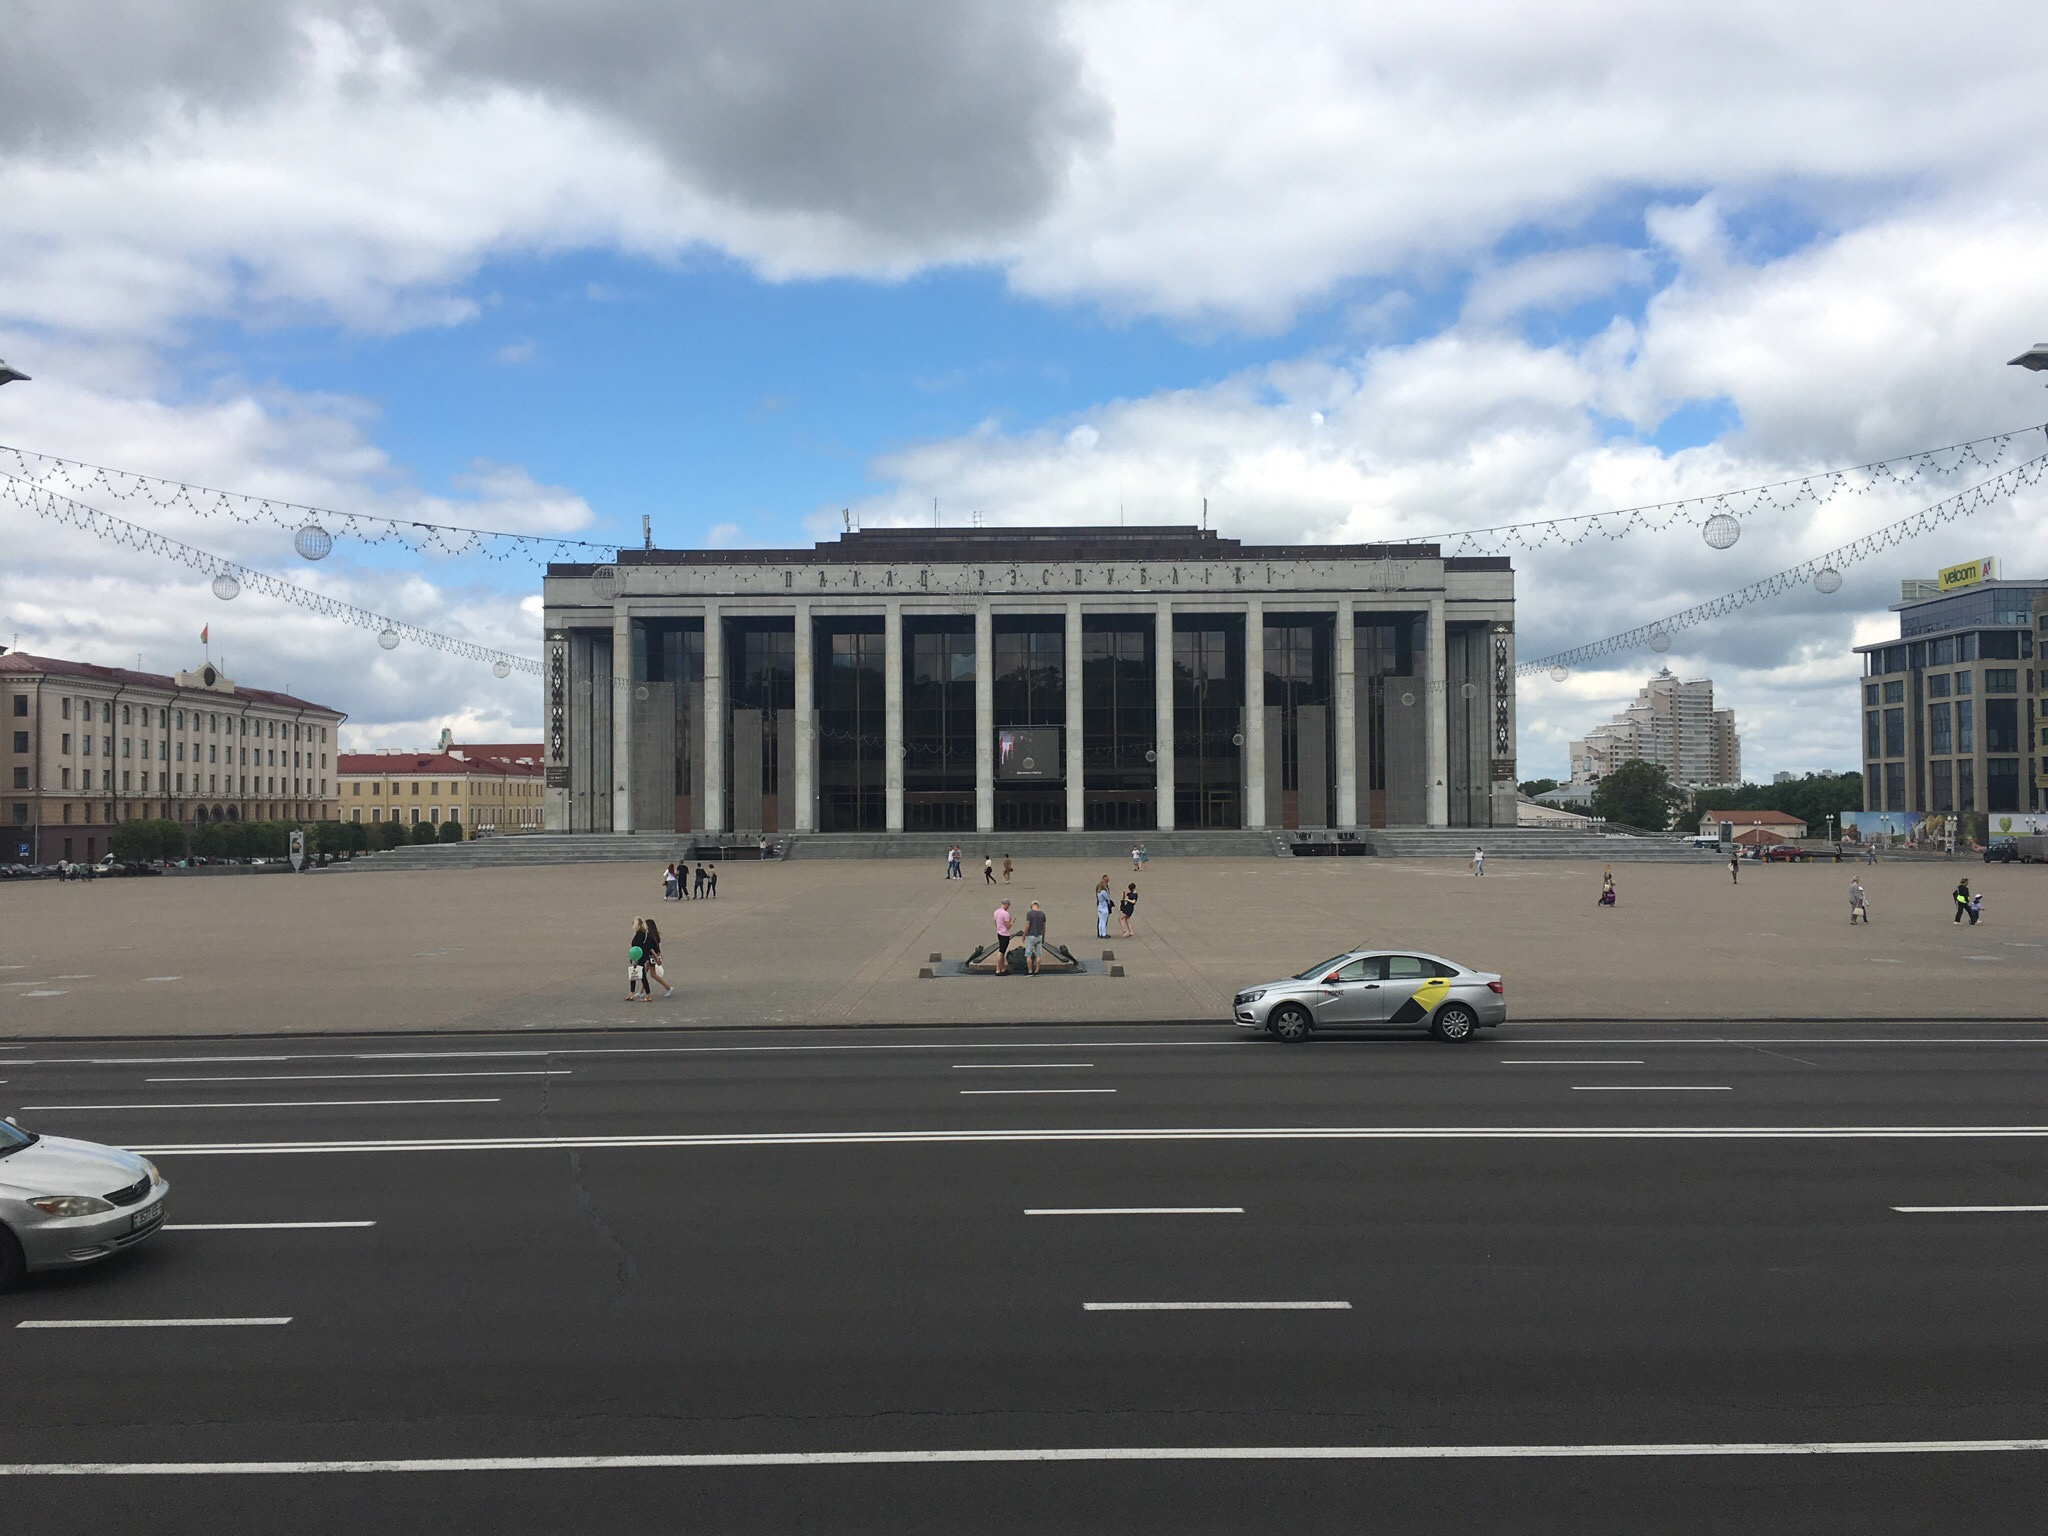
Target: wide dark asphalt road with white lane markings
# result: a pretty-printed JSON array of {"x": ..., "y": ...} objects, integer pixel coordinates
[{"x": 1564, "y": 1279}]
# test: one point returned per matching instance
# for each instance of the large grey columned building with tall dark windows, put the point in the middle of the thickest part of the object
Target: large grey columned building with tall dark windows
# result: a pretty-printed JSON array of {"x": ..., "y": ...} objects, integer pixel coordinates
[{"x": 1017, "y": 679}]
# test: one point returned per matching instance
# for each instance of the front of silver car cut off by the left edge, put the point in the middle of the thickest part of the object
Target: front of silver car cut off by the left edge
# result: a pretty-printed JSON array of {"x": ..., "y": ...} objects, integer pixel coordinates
[{"x": 69, "y": 1203}]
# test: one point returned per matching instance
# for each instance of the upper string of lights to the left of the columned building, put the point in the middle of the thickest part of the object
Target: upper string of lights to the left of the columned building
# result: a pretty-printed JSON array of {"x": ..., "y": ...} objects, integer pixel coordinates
[{"x": 314, "y": 527}]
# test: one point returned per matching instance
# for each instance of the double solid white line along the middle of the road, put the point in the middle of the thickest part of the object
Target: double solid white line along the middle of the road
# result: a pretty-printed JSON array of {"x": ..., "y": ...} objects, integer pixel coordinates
[{"x": 1105, "y": 1134}]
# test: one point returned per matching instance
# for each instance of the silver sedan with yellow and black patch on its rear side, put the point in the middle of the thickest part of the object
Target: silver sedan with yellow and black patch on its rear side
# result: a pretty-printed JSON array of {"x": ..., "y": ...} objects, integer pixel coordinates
[{"x": 1377, "y": 990}]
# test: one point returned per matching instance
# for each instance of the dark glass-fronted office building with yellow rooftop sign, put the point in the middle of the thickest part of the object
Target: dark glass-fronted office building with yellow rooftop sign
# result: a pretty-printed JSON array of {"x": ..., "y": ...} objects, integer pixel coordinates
[{"x": 1953, "y": 710}]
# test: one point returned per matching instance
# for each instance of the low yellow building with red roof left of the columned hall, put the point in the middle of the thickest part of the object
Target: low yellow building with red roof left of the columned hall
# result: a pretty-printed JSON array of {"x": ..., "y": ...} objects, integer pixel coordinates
[{"x": 495, "y": 787}]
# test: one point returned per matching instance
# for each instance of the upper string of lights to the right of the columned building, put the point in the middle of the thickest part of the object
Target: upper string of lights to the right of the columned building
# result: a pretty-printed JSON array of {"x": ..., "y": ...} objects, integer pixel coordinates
[{"x": 1721, "y": 515}]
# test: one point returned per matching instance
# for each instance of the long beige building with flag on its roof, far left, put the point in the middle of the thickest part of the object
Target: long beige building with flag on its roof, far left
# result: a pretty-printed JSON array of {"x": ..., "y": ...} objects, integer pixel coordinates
[{"x": 87, "y": 746}]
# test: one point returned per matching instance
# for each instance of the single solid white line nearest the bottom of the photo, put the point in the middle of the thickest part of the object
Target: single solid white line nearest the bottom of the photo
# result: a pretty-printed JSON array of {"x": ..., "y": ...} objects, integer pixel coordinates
[{"x": 1011, "y": 1455}]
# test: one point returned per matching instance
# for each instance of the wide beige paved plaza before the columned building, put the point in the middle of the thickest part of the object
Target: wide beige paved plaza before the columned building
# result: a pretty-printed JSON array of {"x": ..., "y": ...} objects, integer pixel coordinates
[{"x": 843, "y": 943}]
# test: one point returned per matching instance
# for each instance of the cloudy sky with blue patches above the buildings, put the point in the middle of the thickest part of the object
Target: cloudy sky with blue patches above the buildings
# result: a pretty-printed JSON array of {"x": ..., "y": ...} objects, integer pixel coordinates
[{"x": 1347, "y": 271}]
